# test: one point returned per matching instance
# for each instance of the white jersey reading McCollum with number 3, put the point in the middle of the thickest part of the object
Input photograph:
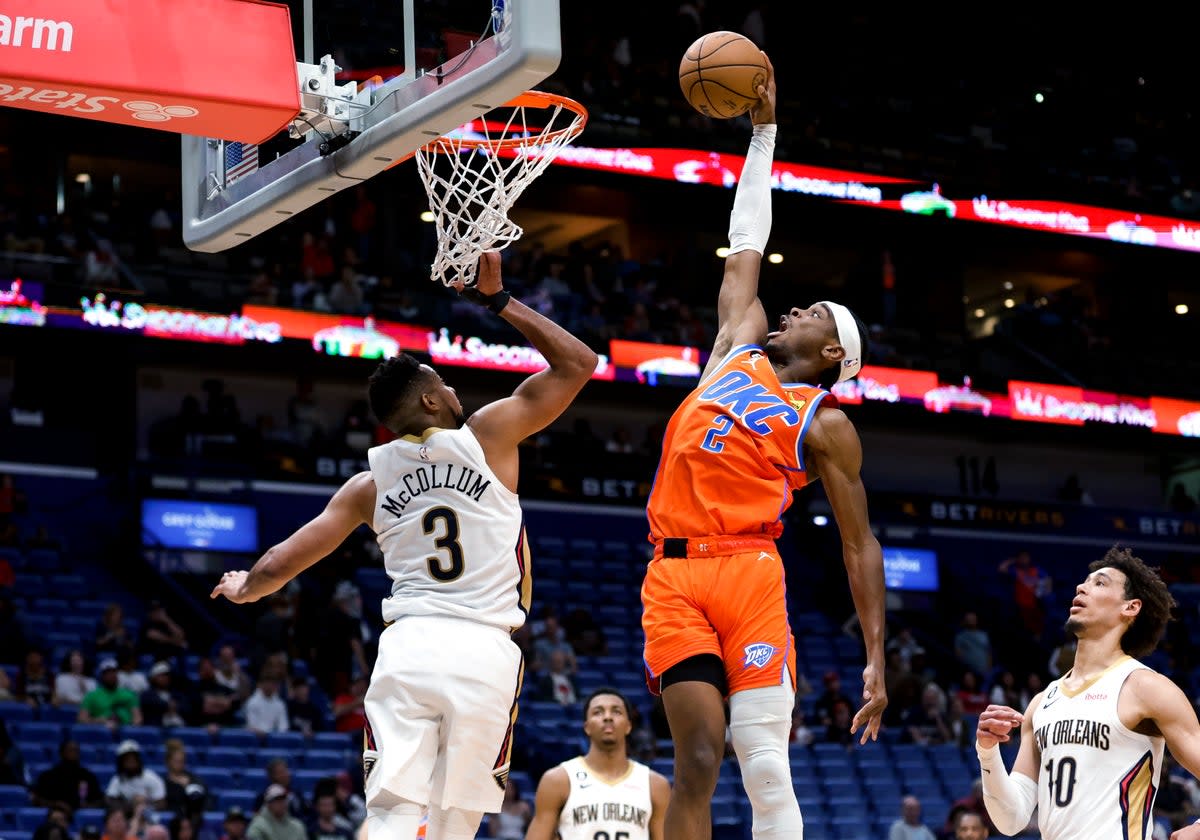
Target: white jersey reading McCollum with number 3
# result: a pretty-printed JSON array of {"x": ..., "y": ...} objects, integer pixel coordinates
[{"x": 452, "y": 535}]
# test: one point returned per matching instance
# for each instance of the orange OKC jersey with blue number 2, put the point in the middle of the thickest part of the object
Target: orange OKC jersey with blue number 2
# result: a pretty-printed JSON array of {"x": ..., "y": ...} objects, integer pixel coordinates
[{"x": 734, "y": 452}]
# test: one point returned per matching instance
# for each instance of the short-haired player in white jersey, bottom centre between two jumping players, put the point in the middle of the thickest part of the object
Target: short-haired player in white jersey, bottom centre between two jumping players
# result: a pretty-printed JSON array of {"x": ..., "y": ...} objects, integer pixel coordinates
[{"x": 603, "y": 795}]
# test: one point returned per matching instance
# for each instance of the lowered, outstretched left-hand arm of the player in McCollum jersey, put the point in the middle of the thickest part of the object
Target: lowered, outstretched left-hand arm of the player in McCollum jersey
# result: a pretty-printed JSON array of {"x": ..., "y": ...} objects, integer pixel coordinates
[{"x": 350, "y": 508}]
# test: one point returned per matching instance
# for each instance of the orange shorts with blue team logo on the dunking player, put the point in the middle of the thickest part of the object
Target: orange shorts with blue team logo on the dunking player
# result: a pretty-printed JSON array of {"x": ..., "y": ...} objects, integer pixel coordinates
[{"x": 727, "y": 598}]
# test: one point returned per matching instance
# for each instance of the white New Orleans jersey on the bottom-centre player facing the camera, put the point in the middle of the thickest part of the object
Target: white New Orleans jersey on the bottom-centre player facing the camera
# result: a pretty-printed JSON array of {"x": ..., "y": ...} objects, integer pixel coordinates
[{"x": 601, "y": 809}]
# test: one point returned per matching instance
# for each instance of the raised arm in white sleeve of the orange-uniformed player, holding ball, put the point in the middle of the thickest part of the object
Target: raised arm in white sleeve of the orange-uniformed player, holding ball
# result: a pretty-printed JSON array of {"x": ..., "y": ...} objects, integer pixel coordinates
[{"x": 740, "y": 315}]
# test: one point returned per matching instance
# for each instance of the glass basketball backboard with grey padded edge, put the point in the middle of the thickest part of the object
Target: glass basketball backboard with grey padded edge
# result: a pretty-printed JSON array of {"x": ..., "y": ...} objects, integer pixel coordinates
[{"x": 380, "y": 91}]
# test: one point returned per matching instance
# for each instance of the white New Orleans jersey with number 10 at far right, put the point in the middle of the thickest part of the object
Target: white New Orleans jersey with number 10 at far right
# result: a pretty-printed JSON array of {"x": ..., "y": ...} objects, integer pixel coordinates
[{"x": 1097, "y": 779}]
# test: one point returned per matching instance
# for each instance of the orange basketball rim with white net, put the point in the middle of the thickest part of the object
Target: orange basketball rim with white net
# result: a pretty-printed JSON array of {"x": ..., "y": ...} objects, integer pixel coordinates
[{"x": 473, "y": 178}]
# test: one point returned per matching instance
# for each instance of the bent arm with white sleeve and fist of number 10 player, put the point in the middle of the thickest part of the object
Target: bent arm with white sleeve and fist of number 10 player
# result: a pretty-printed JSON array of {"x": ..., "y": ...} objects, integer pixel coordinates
[{"x": 1010, "y": 799}]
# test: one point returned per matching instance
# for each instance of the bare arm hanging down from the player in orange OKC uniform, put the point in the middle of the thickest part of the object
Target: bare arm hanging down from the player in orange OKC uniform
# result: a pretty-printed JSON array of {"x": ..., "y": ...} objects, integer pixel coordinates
[{"x": 833, "y": 445}]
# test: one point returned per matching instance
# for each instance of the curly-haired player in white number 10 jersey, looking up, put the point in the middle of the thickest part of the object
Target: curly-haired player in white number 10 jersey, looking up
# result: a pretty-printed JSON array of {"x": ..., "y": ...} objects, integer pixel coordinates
[{"x": 1091, "y": 747}]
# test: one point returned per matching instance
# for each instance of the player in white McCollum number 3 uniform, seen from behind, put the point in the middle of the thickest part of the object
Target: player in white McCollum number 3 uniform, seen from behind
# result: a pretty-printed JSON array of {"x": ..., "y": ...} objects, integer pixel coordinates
[{"x": 442, "y": 500}]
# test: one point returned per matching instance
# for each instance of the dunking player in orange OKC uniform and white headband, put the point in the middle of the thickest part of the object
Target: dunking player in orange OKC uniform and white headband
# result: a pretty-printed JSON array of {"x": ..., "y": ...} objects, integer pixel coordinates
[{"x": 713, "y": 599}]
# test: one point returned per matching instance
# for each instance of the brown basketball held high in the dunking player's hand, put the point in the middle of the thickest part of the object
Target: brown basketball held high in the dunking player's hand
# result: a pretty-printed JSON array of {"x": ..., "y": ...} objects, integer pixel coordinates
[{"x": 721, "y": 75}]
